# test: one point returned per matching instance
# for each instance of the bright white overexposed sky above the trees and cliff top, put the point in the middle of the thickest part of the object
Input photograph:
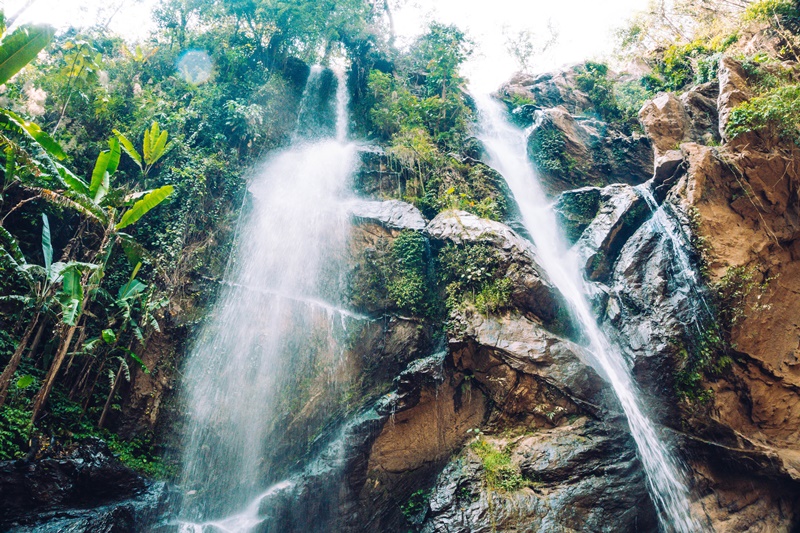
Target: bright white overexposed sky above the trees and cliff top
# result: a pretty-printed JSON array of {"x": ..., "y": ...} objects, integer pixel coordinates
[{"x": 584, "y": 26}]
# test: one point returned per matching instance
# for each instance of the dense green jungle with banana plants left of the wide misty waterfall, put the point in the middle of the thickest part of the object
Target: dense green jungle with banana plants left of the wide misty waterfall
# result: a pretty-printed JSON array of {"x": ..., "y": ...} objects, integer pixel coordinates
[{"x": 119, "y": 171}]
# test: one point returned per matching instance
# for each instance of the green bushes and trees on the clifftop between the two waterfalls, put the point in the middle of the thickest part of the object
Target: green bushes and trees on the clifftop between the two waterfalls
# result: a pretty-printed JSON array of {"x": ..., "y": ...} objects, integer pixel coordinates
[{"x": 420, "y": 112}]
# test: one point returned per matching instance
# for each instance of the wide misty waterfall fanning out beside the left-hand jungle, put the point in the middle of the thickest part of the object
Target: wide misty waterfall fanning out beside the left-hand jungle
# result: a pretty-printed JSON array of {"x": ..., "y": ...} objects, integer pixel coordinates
[{"x": 274, "y": 323}]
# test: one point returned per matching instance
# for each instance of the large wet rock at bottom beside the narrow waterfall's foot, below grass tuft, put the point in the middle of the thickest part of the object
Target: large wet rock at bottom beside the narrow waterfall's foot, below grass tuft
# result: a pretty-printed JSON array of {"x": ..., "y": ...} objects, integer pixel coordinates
[{"x": 578, "y": 477}]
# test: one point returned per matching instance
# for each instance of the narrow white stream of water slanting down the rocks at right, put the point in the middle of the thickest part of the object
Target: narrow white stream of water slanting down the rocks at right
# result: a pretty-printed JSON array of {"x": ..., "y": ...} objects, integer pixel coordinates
[{"x": 507, "y": 153}]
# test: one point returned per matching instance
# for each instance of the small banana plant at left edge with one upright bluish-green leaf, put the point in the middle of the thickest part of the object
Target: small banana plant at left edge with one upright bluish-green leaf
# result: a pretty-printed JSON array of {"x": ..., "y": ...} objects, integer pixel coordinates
[{"x": 53, "y": 282}]
